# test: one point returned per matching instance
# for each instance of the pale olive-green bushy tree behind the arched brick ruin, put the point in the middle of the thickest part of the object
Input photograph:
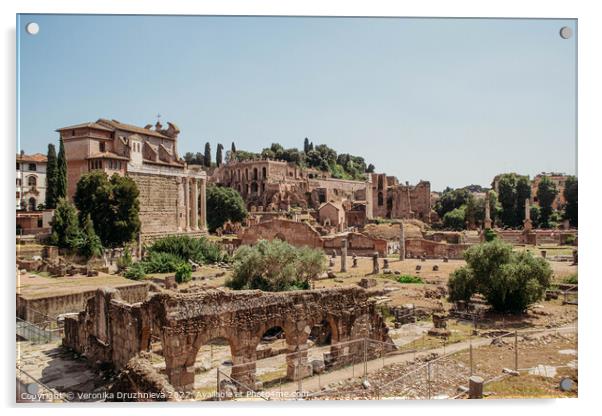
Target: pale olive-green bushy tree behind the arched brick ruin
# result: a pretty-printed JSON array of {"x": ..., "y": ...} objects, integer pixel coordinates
[{"x": 275, "y": 266}]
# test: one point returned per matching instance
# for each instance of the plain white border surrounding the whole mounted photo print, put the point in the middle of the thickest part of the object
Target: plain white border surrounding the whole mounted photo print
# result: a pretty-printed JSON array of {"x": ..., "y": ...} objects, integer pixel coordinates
[{"x": 590, "y": 31}]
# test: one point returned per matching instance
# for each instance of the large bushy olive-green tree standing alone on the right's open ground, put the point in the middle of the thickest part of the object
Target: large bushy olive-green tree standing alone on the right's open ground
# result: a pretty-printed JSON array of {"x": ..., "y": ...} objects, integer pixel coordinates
[{"x": 510, "y": 281}]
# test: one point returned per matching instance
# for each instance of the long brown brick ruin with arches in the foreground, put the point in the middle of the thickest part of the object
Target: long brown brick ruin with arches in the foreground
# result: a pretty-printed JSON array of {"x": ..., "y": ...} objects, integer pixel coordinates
[{"x": 112, "y": 331}]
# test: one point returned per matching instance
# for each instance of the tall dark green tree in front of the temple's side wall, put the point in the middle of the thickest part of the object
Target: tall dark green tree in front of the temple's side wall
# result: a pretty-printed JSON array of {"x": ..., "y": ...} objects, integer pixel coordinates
[{"x": 112, "y": 205}]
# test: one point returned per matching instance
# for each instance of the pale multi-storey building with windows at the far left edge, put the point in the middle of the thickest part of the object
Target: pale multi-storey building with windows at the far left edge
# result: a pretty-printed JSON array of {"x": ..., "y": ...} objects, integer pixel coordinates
[{"x": 31, "y": 181}]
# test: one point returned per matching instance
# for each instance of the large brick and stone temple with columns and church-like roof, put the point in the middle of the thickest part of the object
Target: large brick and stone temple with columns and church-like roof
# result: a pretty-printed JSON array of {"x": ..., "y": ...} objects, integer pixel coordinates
[{"x": 172, "y": 194}]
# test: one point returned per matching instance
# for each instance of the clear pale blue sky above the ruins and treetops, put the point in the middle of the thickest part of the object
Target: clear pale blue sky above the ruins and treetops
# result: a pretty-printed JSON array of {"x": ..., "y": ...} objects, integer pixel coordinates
[{"x": 452, "y": 101}]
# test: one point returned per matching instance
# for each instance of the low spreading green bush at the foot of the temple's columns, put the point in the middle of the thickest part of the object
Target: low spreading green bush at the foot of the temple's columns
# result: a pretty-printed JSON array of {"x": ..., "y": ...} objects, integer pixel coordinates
[{"x": 199, "y": 250}]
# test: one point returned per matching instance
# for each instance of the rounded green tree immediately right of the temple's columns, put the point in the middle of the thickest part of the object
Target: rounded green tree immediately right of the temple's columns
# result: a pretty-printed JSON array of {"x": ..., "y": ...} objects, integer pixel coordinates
[{"x": 224, "y": 204}]
